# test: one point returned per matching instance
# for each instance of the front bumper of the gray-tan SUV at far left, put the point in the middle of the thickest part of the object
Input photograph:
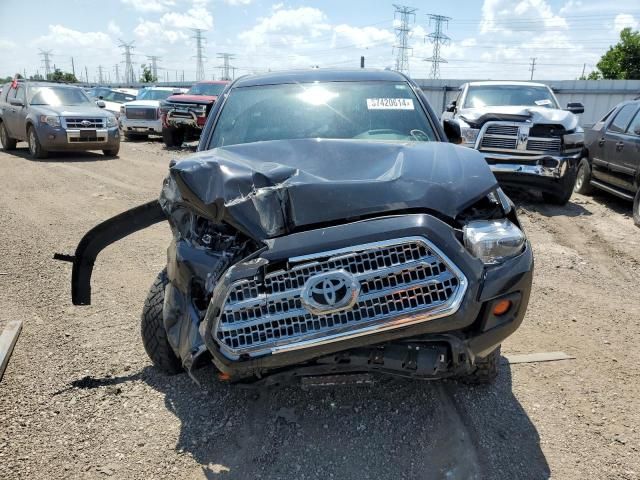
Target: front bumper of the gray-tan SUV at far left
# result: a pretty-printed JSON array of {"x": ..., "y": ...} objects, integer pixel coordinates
[{"x": 60, "y": 139}]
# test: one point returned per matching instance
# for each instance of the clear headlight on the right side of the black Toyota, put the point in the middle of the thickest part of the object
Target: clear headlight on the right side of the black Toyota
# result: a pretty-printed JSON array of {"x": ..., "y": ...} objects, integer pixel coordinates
[{"x": 493, "y": 241}]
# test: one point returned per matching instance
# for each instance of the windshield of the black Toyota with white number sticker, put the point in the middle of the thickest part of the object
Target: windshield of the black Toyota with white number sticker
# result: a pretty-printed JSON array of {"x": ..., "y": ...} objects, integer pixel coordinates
[{"x": 343, "y": 110}]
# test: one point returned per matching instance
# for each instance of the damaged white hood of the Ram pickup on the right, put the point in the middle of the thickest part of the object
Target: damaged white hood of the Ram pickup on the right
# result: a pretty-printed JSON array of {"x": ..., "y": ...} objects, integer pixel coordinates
[{"x": 519, "y": 114}]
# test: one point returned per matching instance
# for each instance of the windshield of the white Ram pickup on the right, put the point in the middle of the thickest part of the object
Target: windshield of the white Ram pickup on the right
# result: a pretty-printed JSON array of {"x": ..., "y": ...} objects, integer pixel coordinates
[{"x": 479, "y": 96}]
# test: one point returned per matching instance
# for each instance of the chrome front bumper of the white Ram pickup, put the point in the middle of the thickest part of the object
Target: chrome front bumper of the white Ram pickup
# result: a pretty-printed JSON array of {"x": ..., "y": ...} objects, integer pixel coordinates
[{"x": 549, "y": 173}]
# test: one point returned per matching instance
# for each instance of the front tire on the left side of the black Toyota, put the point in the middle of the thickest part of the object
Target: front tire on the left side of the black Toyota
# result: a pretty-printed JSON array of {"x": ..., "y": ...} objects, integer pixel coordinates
[{"x": 154, "y": 336}]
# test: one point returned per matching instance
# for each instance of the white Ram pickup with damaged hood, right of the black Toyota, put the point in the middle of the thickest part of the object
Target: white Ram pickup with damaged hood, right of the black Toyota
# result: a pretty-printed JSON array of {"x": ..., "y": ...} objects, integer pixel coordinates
[{"x": 528, "y": 141}]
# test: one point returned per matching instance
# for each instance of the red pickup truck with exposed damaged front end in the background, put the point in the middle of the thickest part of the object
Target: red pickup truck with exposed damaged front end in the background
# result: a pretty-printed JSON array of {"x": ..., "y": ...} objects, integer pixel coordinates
[{"x": 184, "y": 116}]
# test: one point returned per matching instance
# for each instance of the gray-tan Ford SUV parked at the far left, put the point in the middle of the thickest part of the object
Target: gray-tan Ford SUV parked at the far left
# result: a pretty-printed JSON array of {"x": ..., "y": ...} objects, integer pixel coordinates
[{"x": 55, "y": 117}]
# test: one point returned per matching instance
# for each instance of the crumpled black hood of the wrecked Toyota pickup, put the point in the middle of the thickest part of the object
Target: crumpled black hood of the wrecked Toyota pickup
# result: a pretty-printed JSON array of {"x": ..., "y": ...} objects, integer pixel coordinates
[{"x": 268, "y": 189}]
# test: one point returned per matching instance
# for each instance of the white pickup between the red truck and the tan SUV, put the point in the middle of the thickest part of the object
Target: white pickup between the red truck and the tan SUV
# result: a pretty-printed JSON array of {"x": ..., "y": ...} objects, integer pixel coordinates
[{"x": 141, "y": 117}]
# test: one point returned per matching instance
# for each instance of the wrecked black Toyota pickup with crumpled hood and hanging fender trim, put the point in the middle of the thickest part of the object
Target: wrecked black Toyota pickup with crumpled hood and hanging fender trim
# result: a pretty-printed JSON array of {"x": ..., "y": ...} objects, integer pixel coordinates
[{"x": 328, "y": 229}]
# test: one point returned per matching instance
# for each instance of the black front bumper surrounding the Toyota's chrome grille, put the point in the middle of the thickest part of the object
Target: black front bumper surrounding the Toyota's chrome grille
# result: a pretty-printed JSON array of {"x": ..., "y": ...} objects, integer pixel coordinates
[{"x": 453, "y": 340}]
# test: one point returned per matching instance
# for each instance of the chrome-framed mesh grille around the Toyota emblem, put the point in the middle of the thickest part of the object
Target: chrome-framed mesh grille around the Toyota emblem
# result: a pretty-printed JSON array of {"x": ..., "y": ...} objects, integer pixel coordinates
[{"x": 401, "y": 279}]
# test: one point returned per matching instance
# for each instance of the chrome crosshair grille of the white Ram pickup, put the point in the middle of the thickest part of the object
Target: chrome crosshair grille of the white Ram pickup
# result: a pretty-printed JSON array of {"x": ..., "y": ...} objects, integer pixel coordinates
[{"x": 505, "y": 137}]
